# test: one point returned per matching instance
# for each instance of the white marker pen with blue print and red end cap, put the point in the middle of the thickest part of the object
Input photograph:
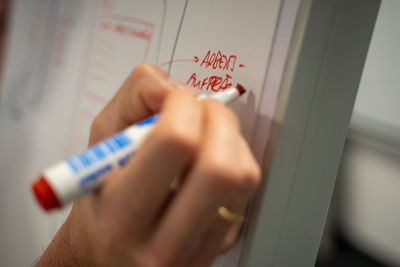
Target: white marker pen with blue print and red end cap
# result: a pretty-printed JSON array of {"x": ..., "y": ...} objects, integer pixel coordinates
[{"x": 69, "y": 179}]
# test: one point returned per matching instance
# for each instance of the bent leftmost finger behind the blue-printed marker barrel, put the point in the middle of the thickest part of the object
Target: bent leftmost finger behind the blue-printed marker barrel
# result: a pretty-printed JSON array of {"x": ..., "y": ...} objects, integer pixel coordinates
[{"x": 141, "y": 95}]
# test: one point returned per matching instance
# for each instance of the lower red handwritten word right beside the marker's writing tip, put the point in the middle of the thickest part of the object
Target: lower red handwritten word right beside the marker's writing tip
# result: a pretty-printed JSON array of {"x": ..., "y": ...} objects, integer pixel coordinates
[{"x": 214, "y": 83}]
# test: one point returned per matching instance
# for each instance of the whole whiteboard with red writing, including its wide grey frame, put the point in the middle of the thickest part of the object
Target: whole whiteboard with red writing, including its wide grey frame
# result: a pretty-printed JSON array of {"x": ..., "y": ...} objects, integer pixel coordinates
[{"x": 300, "y": 60}]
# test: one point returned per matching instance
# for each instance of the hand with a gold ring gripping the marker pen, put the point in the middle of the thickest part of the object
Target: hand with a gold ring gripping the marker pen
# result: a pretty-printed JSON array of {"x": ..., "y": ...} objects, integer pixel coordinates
[{"x": 161, "y": 208}]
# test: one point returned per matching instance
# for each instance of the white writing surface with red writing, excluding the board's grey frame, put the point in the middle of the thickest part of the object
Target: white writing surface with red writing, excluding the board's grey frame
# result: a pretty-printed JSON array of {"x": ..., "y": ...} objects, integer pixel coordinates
[{"x": 66, "y": 59}]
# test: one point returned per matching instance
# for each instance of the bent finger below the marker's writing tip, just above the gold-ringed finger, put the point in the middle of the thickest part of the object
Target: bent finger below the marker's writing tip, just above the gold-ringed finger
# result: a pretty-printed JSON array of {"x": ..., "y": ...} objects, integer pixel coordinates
[{"x": 215, "y": 179}]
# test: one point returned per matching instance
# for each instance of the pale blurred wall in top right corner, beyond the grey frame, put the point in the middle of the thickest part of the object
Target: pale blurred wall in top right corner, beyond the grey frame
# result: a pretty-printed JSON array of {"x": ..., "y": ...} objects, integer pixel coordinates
[{"x": 379, "y": 92}]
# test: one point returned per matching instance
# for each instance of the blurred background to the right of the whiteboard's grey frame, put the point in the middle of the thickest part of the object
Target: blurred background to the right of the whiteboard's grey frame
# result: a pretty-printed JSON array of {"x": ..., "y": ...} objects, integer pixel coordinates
[{"x": 363, "y": 226}]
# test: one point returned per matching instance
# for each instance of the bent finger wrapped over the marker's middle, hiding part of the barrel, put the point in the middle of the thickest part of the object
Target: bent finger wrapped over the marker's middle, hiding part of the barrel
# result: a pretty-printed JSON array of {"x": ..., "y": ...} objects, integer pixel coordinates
[{"x": 166, "y": 152}]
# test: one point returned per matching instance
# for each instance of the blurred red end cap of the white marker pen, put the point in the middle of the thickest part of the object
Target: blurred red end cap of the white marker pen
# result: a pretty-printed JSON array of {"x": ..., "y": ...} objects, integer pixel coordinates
[{"x": 44, "y": 194}]
